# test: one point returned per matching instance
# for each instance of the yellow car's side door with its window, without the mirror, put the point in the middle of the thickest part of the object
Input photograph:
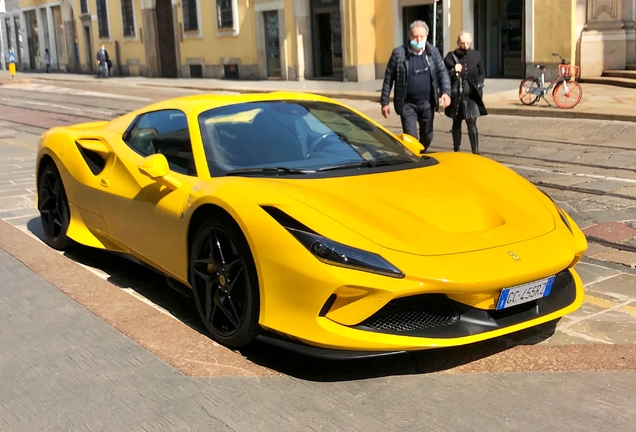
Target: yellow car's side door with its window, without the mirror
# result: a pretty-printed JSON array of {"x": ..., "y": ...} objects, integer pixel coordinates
[{"x": 142, "y": 214}]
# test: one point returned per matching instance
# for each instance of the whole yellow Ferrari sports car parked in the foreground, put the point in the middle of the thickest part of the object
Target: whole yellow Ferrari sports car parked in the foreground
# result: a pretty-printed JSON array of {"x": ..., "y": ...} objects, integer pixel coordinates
[{"x": 299, "y": 221}]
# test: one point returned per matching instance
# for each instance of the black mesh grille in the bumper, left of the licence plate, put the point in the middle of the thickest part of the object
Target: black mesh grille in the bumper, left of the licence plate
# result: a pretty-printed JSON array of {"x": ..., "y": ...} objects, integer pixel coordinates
[{"x": 412, "y": 313}]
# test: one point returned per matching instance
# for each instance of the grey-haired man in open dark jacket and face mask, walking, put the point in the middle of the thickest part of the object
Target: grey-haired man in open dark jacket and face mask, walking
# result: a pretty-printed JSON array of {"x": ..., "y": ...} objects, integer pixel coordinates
[{"x": 421, "y": 81}]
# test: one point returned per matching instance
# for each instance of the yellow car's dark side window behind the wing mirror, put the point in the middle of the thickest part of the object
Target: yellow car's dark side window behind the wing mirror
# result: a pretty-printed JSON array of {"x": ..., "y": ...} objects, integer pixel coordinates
[{"x": 164, "y": 132}]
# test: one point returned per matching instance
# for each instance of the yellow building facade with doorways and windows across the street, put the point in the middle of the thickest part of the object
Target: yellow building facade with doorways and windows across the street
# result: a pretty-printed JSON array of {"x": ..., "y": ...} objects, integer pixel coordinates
[{"x": 347, "y": 40}]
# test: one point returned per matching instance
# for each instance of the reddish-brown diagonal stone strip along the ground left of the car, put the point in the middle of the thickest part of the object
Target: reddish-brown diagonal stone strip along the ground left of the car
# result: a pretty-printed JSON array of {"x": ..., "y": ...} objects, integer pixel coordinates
[{"x": 142, "y": 323}]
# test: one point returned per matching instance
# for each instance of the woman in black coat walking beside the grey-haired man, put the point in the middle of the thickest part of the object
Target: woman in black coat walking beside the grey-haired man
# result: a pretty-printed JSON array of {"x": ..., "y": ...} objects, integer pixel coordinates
[{"x": 467, "y": 81}]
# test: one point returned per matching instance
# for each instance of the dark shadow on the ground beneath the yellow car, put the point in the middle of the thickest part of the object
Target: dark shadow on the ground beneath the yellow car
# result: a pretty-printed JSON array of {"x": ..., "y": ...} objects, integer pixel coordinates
[{"x": 142, "y": 281}]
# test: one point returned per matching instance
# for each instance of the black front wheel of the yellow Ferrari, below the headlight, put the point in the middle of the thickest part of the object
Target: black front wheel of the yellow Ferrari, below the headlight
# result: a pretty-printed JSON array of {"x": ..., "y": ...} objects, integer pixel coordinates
[{"x": 224, "y": 281}]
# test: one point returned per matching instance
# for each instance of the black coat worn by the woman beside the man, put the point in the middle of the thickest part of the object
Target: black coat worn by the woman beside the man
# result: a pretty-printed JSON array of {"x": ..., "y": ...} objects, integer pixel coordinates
[{"x": 473, "y": 74}]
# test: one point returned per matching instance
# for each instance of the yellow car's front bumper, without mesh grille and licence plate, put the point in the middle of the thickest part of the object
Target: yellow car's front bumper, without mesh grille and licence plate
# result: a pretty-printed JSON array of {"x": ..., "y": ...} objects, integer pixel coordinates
[{"x": 296, "y": 293}]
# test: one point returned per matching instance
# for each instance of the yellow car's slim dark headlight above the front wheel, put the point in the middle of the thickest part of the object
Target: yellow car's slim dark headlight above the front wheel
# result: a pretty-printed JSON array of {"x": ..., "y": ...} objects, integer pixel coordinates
[{"x": 334, "y": 253}]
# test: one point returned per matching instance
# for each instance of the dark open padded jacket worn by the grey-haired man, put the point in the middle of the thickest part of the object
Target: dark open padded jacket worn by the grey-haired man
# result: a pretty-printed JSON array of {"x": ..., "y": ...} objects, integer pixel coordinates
[{"x": 397, "y": 71}]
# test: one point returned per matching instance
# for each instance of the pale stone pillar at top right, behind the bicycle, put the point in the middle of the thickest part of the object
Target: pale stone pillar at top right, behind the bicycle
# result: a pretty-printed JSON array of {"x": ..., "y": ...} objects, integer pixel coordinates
[{"x": 604, "y": 38}]
